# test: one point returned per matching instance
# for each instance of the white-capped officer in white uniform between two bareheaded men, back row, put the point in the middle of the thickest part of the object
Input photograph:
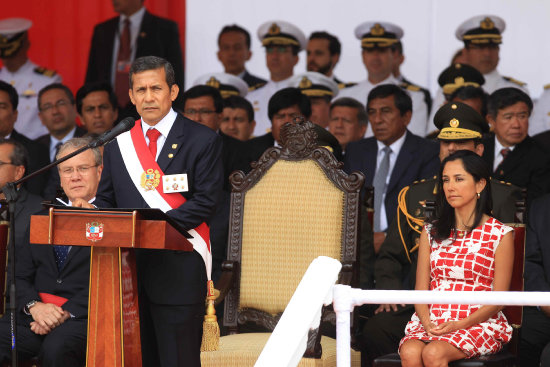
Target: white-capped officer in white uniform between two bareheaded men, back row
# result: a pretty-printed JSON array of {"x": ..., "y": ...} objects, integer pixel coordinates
[{"x": 282, "y": 41}]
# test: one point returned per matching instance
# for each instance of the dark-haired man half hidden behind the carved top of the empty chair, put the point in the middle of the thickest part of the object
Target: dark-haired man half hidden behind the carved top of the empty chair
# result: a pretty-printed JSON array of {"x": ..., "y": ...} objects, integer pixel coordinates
[{"x": 284, "y": 106}]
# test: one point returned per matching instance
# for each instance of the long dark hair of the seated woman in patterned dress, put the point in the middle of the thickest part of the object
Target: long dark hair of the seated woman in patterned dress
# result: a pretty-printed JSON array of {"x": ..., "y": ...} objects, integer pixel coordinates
[{"x": 444, "y": 221}]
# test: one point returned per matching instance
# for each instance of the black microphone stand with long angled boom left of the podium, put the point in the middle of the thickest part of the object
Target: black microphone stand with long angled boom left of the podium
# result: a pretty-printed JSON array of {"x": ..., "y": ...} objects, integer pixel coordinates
[{"x": 10, "y": 192}]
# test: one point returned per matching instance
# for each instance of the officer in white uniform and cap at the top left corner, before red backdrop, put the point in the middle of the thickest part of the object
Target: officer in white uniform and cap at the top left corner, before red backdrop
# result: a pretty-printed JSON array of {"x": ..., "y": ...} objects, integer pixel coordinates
[{"x": 26, "y": 77}]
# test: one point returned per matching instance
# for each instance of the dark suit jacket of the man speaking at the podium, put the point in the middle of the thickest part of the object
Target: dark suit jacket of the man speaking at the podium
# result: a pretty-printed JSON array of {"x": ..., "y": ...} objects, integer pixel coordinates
[{"x": 171, "y": 277}]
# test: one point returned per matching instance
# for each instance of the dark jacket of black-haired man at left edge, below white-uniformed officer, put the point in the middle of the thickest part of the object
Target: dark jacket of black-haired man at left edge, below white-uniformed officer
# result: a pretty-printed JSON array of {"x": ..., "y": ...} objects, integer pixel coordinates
[{"x": 38, "y": 158}]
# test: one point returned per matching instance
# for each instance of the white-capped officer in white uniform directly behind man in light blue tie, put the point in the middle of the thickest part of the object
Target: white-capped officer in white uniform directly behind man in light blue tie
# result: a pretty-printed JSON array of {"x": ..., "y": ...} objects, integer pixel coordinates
[{"x": 378, "y": 41}]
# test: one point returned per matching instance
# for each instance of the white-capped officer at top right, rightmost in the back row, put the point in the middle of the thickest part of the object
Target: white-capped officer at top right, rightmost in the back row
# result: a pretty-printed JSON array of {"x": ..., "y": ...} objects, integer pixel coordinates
[{"x": 482, "y": 36}]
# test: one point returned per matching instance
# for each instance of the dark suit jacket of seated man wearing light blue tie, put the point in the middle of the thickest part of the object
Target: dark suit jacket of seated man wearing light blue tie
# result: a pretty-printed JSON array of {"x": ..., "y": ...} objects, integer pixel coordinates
[{"x": 417, "y": 159}]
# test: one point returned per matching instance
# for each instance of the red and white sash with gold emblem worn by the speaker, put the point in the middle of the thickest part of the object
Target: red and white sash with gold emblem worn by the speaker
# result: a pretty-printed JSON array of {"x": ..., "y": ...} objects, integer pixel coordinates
[{"x": 147, "y": 177}]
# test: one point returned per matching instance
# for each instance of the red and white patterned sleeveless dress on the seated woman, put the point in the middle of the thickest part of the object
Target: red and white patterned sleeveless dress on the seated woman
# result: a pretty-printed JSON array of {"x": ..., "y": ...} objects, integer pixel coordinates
[{"x": 465, "y": 264}]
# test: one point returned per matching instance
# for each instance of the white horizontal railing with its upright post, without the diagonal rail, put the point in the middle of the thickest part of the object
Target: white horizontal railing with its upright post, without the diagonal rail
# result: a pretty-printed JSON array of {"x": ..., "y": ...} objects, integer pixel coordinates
[{"x": 346, "y": 298}]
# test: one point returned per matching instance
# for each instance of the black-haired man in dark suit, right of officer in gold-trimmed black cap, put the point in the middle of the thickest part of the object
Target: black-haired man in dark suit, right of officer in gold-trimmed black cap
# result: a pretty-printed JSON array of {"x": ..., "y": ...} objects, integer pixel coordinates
[{"x": 510, "y": 152}]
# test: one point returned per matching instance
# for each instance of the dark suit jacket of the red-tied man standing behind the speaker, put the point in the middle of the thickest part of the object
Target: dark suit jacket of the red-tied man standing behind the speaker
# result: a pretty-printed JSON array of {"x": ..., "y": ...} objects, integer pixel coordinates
[{"x": 157, "y": 37}]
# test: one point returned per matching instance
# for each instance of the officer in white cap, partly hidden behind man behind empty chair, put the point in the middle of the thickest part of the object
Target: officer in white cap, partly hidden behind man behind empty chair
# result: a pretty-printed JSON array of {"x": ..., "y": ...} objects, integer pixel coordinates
[{"x": 320, "y": 90}]
